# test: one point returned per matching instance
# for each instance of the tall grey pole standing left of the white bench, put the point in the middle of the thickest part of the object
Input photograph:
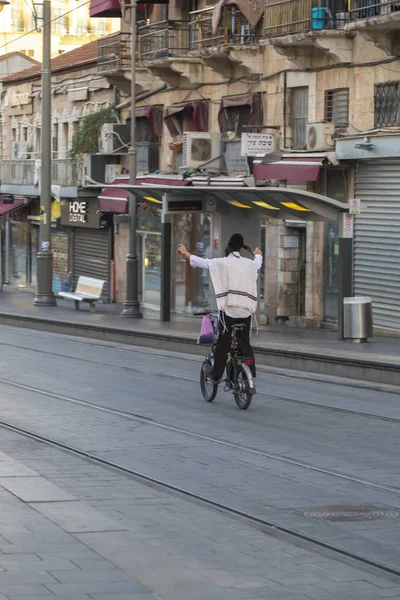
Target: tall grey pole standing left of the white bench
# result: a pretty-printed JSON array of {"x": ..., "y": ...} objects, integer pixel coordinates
[{"x": 44, "y": 289}]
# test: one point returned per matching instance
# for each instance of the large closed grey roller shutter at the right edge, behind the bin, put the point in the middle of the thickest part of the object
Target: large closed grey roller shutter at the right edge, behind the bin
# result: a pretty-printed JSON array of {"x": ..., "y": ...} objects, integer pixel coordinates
[{"x": 377, "y": 239}]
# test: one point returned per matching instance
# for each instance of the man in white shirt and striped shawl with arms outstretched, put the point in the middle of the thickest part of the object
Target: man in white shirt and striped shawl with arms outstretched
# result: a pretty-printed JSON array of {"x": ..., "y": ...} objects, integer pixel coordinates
[{"x": 234, "y": 279}]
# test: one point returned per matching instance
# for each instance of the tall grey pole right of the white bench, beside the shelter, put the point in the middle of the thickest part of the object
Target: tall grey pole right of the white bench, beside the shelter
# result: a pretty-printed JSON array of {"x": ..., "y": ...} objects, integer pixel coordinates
[{"x": 131, "y": 304}]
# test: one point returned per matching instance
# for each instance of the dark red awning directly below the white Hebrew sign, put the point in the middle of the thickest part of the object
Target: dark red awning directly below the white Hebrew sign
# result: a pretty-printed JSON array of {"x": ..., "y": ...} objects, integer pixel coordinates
[{"x": 290, "y": 169}]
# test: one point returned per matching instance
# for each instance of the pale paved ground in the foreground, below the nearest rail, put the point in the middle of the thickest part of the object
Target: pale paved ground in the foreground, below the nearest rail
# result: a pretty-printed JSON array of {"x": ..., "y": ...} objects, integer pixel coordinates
[{"x": 72, "y": 530}]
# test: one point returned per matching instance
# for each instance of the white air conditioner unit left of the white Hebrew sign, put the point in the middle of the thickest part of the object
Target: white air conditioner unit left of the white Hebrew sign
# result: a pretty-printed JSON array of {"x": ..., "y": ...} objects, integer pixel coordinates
[{"x": 200, "y": 149}]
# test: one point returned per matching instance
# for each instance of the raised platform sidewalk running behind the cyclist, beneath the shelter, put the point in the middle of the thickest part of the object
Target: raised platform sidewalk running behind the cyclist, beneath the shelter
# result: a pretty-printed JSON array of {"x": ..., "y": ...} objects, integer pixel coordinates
[{"x": 279, "y": 346}]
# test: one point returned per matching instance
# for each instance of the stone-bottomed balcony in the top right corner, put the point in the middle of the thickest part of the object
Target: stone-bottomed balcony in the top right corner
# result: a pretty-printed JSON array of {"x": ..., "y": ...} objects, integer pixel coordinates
[{"x": 378, "y": 21}]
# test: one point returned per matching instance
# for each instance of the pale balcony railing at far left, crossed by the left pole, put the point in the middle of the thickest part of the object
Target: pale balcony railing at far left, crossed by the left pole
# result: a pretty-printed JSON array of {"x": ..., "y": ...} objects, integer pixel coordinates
[{"x": 25, "y": 172}]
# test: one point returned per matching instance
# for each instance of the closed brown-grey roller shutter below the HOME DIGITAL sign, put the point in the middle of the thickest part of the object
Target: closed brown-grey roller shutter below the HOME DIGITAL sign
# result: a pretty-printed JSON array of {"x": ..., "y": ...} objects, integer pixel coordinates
[{"x": 92, "y": 253}]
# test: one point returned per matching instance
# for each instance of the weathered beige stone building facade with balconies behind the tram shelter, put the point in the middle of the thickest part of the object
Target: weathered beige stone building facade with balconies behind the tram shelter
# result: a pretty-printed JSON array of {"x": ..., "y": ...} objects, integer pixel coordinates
[{"x": 324, "y": 81}]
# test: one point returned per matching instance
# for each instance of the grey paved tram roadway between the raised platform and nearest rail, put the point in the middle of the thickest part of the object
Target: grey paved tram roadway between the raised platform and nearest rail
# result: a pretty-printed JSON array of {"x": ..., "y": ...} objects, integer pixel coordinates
[{"x": 320, "y": 458}]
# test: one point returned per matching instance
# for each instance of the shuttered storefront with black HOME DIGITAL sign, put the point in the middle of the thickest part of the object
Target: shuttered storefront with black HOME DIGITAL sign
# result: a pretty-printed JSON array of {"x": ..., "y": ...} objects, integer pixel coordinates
[{"x": 91, "y": 242}]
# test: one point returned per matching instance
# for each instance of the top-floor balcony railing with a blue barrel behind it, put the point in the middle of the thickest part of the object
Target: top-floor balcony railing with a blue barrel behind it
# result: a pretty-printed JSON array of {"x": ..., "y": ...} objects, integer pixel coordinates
[{"x": 284, "y": 17}]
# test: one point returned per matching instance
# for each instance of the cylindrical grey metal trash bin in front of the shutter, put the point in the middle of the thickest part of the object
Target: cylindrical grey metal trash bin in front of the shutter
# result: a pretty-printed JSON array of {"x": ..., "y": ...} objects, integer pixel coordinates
[{"x": 357, "y": 318}]
